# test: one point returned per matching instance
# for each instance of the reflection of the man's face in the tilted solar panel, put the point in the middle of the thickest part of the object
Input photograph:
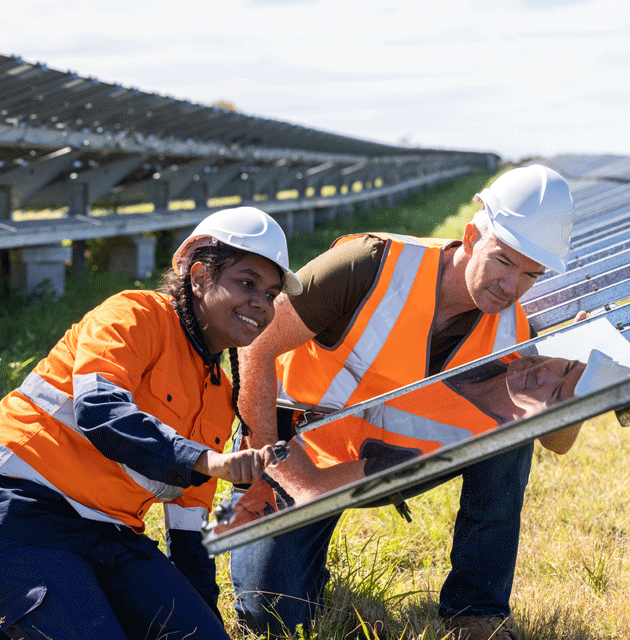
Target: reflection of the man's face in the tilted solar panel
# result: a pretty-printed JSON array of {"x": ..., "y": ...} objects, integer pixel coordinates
[{"x": 537, "y": 382}]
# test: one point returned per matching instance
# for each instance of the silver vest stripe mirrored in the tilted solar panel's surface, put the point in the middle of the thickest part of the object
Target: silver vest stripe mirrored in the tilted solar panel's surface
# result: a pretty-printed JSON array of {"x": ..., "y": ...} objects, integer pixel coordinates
[{"x": 411, "y": 425}]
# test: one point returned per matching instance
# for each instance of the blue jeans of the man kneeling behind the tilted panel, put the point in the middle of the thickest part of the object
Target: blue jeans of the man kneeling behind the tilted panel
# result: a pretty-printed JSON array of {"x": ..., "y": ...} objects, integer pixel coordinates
[{"x": 279, "y": 581}]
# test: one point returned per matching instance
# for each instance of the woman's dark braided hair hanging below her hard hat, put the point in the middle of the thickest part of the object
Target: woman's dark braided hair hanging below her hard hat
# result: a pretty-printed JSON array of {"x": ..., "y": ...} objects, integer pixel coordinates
[{"x": 214, "y": 259}]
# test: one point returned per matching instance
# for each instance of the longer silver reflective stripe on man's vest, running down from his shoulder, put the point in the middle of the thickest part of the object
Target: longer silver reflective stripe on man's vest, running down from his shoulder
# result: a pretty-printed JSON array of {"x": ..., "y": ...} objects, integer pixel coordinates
[{"x": 378, "y": 329}]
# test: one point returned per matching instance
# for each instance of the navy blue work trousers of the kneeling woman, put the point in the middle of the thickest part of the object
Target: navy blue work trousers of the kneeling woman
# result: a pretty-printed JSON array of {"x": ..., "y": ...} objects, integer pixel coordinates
[{"x": 62, "y": 595}]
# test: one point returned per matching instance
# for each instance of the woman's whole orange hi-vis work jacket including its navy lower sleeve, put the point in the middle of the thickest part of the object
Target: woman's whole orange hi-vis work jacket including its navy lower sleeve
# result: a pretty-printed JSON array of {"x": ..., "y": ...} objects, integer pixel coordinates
[{"x": 116, "y": 415}]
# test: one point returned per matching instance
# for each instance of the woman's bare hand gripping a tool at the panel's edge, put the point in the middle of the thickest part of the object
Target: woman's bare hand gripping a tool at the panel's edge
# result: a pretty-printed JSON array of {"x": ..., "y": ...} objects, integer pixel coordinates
[{"x": 242, "y": 467}]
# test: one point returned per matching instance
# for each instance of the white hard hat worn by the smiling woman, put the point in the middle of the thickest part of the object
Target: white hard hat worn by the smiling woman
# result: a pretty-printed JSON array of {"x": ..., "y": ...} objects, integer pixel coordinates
[{"x": 245, "y": 228}]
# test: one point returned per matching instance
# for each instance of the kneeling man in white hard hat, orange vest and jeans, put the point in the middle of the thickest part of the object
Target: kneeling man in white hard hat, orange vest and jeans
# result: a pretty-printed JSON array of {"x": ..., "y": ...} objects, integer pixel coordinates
[{"x": 379, "y": 312}]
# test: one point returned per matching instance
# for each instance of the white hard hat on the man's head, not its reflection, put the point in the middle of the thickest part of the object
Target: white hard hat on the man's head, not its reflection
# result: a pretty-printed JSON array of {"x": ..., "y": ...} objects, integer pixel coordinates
[{"x": 531, "y": 210}]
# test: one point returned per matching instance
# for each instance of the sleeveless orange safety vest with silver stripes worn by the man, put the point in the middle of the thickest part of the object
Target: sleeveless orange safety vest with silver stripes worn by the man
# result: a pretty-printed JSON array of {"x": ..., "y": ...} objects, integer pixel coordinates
[{"x": 386, "y": 345}]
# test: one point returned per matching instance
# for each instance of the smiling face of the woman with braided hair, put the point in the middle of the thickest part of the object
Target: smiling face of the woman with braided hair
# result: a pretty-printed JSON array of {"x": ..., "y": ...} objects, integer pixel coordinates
[{"x": 233, "y": 310}]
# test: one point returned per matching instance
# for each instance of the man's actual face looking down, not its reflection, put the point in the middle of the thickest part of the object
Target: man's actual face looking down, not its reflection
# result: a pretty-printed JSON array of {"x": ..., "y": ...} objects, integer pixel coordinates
[{"x": 496, "y": 275}]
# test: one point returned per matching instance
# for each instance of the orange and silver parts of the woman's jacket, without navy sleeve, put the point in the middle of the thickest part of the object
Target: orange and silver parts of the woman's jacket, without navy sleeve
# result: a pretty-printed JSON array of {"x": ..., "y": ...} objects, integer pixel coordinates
[{"x": 135, "y": 341}]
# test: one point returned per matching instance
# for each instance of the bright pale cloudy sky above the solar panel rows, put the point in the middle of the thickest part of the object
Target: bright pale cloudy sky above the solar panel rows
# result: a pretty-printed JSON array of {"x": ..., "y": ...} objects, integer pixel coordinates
[{"x": 519, "y": 78}]
